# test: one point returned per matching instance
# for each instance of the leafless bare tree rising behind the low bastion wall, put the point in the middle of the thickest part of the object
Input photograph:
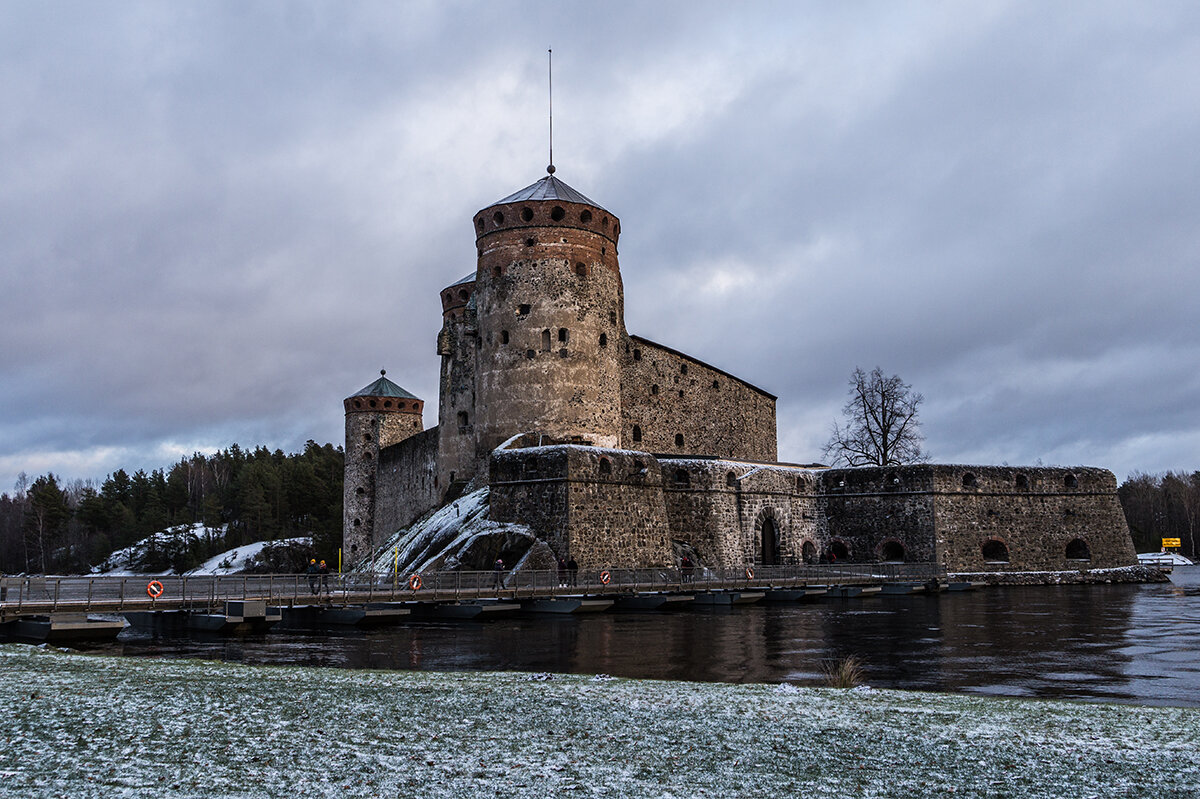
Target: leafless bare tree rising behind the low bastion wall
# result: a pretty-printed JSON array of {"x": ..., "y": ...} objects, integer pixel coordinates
[{"x": 880, "y": 426}]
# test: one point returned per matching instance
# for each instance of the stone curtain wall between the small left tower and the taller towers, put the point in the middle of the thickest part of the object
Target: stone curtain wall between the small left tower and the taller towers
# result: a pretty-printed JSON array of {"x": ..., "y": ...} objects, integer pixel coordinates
[{"x": 407, "y": 484}]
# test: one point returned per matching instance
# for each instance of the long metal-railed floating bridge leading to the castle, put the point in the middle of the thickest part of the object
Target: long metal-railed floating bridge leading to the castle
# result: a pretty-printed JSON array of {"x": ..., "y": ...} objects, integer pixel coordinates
[{"x": 28, "y": 596}]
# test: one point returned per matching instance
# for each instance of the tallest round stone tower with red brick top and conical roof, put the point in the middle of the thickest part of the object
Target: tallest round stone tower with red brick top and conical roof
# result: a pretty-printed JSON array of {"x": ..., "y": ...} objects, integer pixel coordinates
[{"x": 550, "y": 313}]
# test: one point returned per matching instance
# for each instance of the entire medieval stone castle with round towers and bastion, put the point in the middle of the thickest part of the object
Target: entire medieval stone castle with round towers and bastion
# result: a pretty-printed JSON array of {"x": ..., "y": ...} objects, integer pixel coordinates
[{"x": 617, "y": 450}]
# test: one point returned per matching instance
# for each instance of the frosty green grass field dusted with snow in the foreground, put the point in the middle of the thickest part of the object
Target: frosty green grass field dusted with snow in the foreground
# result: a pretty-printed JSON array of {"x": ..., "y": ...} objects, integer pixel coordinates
[{"x": 99, "y": 726}]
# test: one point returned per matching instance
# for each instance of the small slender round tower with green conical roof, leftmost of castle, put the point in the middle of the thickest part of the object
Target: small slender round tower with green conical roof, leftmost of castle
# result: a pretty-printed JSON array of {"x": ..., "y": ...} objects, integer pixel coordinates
[{"x": 377, "y": 417}]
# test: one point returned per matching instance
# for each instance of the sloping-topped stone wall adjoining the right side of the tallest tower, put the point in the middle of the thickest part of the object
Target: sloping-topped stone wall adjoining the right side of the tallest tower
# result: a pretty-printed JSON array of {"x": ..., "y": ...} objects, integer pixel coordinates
[{"x": 668, "y": 398}]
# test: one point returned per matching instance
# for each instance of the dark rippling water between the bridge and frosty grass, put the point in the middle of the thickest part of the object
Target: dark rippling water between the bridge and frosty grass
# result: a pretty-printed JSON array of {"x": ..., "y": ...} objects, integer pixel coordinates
[{"x": 1121, "y": 644}]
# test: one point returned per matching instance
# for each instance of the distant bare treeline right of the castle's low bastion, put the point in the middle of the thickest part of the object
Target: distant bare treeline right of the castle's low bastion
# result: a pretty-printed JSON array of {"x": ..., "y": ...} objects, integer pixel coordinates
[{"x": 1162, "y": 507}]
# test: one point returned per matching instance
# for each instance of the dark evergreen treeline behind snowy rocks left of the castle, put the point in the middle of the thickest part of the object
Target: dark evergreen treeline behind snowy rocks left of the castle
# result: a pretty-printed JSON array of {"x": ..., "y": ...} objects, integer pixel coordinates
[{"x": 51, "y": 527}]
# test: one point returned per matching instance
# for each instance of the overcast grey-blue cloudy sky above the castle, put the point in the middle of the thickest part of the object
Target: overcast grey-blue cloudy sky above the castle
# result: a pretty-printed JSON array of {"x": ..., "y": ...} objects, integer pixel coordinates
[{"x": 220, "y": 219}]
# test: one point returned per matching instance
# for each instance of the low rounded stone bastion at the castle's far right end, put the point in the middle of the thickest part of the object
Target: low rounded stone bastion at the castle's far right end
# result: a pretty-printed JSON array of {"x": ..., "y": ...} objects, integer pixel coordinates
[{"x": 980, "y": 519}]
